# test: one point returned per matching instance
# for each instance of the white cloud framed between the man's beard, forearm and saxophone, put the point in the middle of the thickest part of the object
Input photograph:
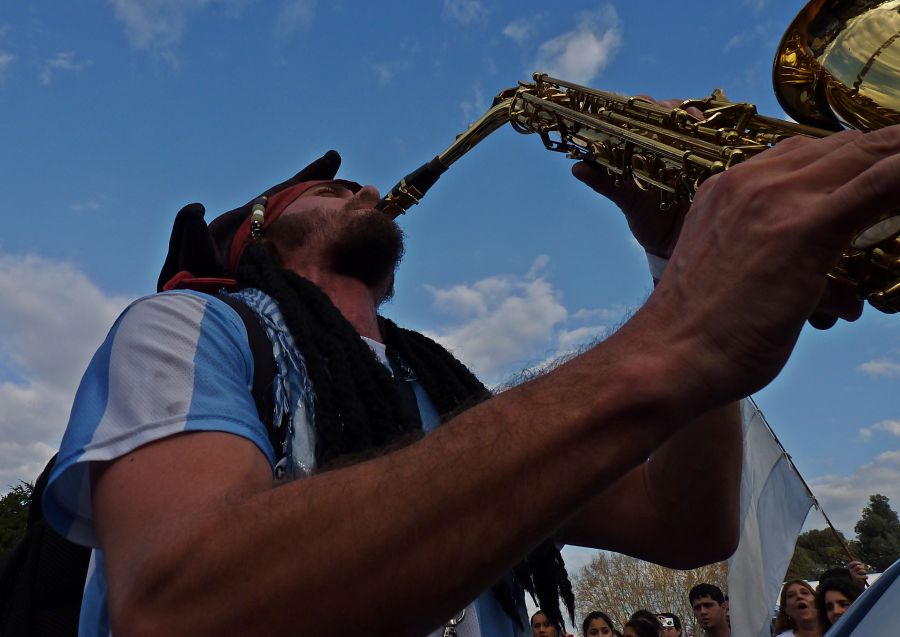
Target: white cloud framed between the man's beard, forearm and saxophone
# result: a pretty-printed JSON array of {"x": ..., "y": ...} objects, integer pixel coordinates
[{"x": 505, "y": 322}]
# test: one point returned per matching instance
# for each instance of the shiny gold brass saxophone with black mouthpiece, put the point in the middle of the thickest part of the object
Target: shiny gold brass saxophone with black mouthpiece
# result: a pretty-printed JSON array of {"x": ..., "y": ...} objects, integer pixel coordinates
[{"x": 837, "y": 65}]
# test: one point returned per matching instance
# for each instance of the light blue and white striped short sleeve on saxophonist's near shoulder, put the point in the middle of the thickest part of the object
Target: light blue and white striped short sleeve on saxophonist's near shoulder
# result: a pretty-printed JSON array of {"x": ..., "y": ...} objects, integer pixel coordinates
[{"x": 174, "y": 362}]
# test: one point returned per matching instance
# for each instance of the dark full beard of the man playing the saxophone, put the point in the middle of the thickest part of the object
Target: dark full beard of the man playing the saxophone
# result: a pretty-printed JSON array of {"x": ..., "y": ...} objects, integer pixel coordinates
[{"x": 365, "y": 245}]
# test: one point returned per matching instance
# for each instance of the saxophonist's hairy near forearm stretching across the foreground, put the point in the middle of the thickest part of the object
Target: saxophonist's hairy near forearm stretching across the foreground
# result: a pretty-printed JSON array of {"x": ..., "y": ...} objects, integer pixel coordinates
[{"x": 428, "y": 527}]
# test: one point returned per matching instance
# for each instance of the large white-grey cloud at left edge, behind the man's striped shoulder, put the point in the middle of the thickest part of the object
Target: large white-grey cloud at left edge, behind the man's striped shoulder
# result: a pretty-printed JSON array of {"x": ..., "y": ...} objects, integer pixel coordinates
[{"x": 51, "y": 320}]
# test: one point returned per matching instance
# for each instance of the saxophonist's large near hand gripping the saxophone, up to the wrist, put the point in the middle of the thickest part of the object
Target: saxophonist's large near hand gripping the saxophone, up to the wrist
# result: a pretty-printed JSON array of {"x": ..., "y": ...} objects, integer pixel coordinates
[{"x": 751, "y": 259}]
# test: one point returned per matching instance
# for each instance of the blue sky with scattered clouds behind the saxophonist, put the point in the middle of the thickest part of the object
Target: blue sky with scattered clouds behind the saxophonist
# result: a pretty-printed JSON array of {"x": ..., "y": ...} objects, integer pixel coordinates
[{"x": 114, "y": 114}]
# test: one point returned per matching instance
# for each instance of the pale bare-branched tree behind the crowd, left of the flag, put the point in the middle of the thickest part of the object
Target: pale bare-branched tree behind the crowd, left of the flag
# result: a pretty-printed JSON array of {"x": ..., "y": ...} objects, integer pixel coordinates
[{"x": 618, "y": 585}]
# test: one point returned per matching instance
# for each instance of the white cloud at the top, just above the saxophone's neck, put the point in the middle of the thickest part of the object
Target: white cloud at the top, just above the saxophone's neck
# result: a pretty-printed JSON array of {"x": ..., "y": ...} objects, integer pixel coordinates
[{"x": 582, "y": 54}]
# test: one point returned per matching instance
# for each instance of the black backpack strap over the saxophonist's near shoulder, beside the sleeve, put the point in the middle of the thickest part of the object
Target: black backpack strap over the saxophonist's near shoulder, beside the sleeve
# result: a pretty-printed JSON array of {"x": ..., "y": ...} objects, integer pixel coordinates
[{"x": 264, "y": 371}]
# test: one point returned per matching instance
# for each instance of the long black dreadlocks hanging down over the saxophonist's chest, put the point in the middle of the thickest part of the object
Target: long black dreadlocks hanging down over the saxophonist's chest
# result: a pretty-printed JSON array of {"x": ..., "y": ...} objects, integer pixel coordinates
[{"x": 357, "y": 403}]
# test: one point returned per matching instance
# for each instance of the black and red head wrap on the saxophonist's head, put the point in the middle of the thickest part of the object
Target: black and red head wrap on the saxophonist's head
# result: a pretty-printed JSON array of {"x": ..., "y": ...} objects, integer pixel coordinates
[{"x": 205, "y": 257}]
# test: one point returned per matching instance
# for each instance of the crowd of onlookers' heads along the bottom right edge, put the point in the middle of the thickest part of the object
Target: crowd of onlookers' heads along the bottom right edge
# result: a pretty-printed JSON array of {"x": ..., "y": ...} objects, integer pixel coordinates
[{"x": 802, "y": 611}]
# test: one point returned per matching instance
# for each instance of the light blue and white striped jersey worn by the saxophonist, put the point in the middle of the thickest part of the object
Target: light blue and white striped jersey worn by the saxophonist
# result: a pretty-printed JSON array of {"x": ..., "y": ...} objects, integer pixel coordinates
[{"x": 177, "y": 362}]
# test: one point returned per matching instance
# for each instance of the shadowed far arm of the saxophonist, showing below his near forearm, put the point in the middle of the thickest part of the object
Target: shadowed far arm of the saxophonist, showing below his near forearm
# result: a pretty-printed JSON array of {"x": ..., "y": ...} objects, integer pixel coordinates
[{"x": 653, "y": 511}]
